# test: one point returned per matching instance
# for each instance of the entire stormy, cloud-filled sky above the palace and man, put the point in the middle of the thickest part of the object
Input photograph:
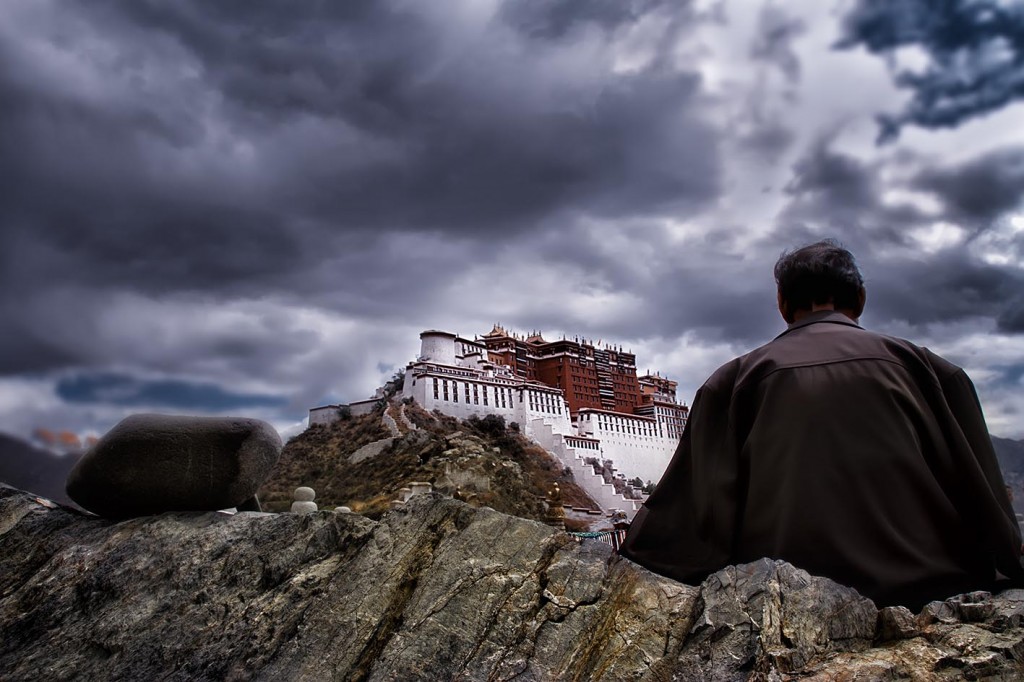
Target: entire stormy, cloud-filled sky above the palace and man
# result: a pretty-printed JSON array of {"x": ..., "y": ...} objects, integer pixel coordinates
[{"x": 255, "y": 207}]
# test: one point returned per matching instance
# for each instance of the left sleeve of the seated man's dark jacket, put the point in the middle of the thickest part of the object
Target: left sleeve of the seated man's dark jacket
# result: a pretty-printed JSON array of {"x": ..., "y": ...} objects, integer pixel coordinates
[{"x": 664, "y": 535}]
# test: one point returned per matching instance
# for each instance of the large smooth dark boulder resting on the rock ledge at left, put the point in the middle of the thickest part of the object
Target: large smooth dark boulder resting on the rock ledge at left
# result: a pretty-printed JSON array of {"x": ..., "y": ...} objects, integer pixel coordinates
[{"x": 151, "y": 464}]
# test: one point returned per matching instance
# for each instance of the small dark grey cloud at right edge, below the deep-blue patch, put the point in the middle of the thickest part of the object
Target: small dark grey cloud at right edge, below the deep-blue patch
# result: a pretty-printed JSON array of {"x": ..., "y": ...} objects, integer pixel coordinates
[{"x": 982, "y": 190}]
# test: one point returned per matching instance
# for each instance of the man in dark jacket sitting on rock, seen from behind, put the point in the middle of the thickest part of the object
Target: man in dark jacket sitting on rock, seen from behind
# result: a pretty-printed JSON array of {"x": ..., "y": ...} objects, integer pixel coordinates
[{"x": 852, "y": 455}]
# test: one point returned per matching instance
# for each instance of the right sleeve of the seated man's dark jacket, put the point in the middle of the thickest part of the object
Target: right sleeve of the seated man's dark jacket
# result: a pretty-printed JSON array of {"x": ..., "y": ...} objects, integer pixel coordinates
[{"x": 984, "y": 502}]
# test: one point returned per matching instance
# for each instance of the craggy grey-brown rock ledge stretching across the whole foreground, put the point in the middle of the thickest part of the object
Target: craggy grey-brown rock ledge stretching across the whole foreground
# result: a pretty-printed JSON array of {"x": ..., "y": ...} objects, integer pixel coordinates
[{"x": 439, "y": 591}]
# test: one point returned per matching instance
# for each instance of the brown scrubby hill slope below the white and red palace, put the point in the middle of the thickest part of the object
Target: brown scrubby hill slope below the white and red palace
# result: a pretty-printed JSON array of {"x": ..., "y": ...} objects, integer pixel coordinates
[{"x": 482, "y": 461}]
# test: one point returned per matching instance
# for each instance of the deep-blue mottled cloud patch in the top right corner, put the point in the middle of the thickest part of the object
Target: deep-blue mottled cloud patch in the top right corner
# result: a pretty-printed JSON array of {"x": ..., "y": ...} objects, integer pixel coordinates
[{"x": 975, "y": 51}]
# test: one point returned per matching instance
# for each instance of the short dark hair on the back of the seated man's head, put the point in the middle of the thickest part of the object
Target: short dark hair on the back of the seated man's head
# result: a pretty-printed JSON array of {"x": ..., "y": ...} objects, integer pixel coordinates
[{"x": 820, "y": 273}]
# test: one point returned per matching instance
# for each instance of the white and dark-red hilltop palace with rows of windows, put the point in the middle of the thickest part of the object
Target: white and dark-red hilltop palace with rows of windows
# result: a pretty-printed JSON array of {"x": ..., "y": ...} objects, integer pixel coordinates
[{"x": 576, "y": 400}]
